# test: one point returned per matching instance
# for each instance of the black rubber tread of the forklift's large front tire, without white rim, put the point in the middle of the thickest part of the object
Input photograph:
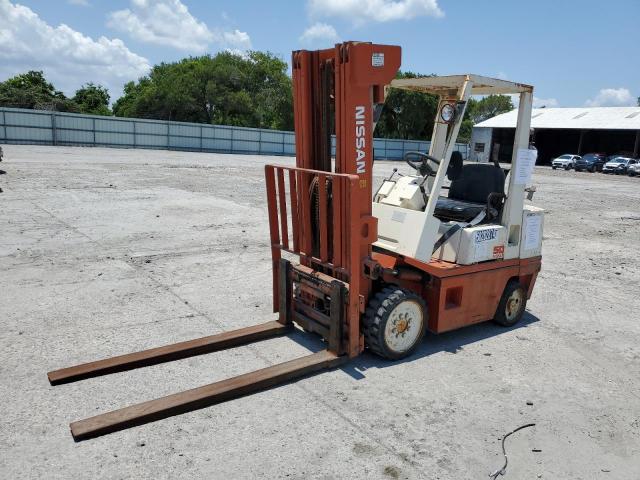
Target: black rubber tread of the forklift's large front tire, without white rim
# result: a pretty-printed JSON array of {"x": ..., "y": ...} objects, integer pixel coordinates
[{"x": 379, "y": 313}]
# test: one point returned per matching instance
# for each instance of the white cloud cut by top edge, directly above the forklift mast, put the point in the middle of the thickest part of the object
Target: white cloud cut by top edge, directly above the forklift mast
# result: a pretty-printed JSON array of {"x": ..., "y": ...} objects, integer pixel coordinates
[{"x": 363, "y": 11}]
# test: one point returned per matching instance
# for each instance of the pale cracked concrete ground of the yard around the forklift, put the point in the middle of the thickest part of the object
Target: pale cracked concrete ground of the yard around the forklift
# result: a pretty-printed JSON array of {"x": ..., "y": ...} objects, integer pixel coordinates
[{"x": 106, "y": 251}]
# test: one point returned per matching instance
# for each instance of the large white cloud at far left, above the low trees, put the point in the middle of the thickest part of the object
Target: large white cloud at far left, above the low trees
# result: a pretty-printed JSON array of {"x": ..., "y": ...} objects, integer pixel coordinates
[{"x": 67, "y": 57}]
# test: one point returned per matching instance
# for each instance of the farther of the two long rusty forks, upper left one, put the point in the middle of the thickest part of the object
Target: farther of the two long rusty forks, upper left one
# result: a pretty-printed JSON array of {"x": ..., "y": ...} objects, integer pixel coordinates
[{"x": 153, "y": 356}]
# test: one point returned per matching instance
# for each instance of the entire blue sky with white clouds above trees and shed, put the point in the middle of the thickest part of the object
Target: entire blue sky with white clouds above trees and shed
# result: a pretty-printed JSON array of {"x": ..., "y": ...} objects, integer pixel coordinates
[{"x": 575, "y": 53}]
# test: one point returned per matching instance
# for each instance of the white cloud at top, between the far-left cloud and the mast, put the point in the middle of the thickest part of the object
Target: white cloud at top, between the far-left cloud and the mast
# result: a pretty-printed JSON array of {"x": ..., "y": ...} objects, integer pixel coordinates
[{"x": 169, "y": 23}]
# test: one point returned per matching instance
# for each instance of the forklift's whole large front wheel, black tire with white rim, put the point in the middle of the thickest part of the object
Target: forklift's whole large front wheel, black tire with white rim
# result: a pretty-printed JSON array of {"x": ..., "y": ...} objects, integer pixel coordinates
[{"x": 394, "y": 323}]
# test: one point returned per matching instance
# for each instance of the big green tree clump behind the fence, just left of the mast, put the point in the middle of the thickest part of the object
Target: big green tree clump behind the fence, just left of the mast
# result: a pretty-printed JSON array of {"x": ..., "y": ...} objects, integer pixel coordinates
[{"x": 226, "y": 89}]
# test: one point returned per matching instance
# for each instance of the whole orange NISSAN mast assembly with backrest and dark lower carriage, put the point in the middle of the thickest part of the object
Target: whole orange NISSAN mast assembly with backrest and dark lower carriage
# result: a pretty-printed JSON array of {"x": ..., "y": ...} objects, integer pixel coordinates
[{"x": 339, "y": 90}]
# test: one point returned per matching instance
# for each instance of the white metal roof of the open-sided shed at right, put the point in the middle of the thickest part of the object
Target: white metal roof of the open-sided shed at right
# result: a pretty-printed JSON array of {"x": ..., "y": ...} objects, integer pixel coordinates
[{"x": 592, "y": 118}]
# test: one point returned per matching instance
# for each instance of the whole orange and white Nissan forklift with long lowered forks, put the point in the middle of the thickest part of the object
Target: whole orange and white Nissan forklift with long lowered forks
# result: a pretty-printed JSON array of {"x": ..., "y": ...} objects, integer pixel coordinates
[{"x": 368, "y": 271}]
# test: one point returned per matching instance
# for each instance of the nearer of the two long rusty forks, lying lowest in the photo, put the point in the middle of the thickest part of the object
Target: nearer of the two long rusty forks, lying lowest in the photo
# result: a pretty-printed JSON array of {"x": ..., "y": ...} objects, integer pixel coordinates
[{"x": 203, "y": 396}]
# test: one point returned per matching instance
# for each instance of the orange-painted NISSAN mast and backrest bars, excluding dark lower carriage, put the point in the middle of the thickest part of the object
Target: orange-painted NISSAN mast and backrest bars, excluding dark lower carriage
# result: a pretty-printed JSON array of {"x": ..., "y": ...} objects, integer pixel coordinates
[{"x": 360, "y": 72}]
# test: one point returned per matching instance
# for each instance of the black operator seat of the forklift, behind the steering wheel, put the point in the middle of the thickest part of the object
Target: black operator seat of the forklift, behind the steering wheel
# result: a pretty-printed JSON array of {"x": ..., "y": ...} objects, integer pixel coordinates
[{"x": 476, "y": 187}]
